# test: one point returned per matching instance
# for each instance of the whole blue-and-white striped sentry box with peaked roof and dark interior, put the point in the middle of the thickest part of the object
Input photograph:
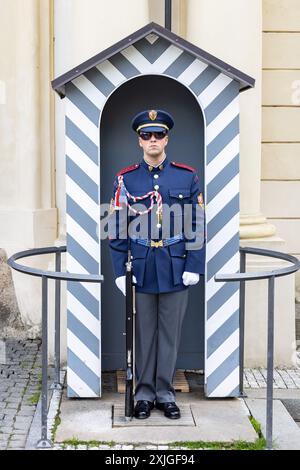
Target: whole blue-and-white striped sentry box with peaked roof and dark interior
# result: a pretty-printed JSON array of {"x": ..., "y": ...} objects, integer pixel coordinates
[{"x": 152, "y": 68}]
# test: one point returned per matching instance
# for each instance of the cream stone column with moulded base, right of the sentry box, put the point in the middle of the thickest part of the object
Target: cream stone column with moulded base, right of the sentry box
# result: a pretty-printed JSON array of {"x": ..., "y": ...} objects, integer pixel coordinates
[{"x": 232, "y": 31}]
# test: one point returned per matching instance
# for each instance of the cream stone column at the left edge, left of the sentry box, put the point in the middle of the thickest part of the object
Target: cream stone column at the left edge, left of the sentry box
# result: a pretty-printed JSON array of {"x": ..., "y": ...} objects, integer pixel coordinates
[{"x": 27, "y": 212}]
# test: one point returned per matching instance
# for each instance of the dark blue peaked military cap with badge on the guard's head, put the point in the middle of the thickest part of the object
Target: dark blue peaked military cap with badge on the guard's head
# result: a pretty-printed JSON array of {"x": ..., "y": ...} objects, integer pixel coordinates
[{"x": 152, "y": 120}]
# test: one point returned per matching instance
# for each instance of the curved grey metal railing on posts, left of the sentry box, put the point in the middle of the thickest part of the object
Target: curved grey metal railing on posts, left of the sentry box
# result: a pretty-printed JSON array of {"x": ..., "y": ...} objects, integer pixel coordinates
[{"x": 59, "y": 276}]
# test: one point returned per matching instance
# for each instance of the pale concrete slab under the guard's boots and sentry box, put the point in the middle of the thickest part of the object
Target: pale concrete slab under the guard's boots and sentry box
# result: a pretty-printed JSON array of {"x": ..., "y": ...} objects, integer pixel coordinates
[{"x": 202, "y": 419}]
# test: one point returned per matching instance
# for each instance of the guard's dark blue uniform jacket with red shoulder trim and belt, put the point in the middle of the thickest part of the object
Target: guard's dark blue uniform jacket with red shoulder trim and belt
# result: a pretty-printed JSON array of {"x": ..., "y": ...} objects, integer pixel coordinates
[{"x": 159, "y": 270}]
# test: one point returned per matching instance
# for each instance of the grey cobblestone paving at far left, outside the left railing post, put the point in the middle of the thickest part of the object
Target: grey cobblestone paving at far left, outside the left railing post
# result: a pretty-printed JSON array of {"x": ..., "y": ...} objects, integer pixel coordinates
[{"x": 20, "y": 376}]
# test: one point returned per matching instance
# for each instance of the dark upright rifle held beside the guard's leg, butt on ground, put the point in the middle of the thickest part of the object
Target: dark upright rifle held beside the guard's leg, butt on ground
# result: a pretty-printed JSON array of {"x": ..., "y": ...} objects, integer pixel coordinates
[{"x": 130, "y": 331}]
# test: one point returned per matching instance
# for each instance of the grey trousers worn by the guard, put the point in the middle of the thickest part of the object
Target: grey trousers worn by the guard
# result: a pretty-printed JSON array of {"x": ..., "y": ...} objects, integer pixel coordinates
[{"x": 159, "y": 320}]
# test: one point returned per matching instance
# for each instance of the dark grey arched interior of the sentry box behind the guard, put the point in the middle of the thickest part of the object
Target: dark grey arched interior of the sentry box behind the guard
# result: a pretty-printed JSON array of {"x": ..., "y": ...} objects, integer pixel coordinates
[{"x": 118, "y": 149}]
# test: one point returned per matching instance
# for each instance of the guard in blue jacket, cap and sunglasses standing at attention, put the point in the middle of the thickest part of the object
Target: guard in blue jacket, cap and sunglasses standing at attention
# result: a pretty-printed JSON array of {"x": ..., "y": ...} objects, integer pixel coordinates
[{"x": 167, "y": 256}]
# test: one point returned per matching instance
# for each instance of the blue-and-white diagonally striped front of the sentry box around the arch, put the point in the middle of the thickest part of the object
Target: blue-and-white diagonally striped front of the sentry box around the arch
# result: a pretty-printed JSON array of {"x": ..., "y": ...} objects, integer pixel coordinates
[{"x": 158, "y": 52}]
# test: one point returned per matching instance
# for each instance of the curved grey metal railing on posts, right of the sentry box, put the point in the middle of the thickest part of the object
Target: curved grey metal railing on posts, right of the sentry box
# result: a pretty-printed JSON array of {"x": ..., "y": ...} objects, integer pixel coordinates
[{"x": 242, "y": 277}]
